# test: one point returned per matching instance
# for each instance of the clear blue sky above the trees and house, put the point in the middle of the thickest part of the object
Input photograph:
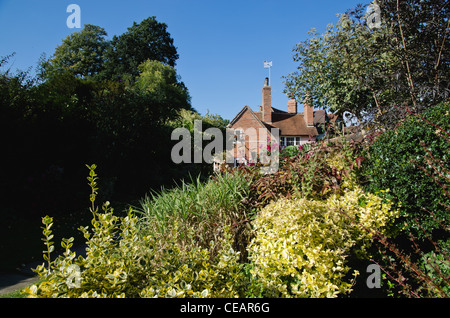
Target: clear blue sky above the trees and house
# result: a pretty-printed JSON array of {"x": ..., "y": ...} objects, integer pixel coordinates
[{"x": 222, "y": 44}]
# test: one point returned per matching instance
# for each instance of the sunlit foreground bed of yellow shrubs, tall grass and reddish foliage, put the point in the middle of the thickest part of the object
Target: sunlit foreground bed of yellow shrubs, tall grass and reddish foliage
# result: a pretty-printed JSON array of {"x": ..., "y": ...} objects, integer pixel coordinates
[{"x": 208, "y": 239}]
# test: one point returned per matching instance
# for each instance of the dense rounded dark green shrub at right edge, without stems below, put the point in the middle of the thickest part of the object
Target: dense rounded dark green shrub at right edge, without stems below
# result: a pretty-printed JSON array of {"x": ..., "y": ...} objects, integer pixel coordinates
[{"x": 412, "y": 161}]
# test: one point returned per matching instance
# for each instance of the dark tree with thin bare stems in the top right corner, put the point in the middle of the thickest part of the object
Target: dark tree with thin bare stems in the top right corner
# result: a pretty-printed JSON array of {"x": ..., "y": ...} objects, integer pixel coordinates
[{"x": 420, "y": 31}]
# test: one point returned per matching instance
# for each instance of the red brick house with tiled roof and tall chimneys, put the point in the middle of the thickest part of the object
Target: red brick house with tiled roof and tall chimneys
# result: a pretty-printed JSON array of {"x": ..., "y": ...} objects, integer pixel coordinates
[{"x": 294, "y": 128}]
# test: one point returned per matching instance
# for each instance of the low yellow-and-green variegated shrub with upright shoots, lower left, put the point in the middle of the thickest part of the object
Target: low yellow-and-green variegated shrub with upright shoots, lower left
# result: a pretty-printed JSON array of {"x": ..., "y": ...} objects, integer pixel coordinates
[{"x": 123, "y": 261}]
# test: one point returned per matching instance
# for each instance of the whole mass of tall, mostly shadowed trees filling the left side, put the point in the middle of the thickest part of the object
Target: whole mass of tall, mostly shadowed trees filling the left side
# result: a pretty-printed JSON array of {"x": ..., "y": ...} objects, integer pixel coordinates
[{"x": 112, "y": 103}]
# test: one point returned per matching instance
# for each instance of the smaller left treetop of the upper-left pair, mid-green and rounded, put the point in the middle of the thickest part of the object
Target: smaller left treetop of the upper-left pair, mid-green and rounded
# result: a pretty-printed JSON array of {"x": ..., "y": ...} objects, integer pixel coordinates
[{"x": 81, "y": 54}]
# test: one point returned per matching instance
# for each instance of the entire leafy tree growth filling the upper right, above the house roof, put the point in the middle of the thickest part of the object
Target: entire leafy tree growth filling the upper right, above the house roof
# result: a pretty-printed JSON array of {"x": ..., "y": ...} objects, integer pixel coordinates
[{"x": 367, "y": 70}]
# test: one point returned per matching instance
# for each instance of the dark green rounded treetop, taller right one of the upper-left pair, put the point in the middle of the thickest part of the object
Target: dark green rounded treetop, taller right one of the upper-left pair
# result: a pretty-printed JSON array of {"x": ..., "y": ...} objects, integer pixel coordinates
[{"x": 148, "y": 40}]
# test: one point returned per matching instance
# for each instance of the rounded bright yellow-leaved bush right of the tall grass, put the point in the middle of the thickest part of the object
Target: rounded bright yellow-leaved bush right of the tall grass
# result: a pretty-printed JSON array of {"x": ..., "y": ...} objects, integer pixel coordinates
[{"x": 301, "y": 246}]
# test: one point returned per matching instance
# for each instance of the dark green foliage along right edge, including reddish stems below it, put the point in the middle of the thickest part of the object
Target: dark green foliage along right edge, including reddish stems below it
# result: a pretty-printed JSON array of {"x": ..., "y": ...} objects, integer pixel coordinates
[{"x": 412, "y": 161}]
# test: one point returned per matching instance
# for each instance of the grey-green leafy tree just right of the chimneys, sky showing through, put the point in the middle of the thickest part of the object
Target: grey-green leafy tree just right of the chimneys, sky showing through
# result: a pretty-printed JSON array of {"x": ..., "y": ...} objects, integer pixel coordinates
[{"x": 342, "y": 69}]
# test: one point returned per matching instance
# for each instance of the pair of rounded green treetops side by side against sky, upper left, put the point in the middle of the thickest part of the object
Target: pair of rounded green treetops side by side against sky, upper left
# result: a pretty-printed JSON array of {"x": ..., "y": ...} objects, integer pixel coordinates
[{"x": 88, "y": 53}]
